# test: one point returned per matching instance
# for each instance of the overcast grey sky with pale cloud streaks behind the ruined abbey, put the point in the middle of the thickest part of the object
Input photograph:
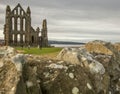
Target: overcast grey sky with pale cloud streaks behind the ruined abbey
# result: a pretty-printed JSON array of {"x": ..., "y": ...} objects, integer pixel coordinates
[{"x": 72, "y": 20}]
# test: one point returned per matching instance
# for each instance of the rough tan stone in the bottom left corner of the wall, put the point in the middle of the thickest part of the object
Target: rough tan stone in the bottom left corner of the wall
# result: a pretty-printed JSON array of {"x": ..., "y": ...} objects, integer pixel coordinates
[{"x": 9, "y": 78}]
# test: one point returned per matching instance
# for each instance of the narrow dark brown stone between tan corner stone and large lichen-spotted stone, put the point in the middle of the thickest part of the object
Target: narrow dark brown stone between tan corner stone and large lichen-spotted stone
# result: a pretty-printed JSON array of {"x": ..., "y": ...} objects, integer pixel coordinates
[{"x": 31, "y": 80}]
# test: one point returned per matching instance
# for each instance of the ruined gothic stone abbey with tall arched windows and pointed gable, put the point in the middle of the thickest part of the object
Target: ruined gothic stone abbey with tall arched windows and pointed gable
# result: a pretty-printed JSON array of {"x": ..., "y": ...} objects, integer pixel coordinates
[{"x": 18, "y": 30}]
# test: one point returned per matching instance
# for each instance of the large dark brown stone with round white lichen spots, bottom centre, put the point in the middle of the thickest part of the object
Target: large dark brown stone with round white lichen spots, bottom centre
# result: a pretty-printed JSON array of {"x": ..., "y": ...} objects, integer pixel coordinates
[{"x": 63, "y": 78}]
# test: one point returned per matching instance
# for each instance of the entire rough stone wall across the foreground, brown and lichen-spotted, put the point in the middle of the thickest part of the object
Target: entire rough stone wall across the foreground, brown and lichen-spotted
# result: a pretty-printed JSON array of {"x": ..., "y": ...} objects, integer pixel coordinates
[{"x": 81, "y": 70}]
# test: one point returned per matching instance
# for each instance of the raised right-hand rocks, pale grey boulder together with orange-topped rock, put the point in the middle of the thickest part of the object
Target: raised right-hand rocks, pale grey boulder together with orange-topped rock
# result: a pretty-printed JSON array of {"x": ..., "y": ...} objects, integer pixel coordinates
[{"x": 102, "y": 59}]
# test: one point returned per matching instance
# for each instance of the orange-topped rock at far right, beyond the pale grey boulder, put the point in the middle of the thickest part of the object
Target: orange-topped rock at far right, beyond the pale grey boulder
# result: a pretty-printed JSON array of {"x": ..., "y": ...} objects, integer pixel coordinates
[{"x": 109, "y": 56}]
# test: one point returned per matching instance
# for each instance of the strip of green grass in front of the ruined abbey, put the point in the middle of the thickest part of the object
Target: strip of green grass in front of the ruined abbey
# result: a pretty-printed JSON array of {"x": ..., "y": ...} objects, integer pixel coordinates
[{"x": 38, "y": 51}]
